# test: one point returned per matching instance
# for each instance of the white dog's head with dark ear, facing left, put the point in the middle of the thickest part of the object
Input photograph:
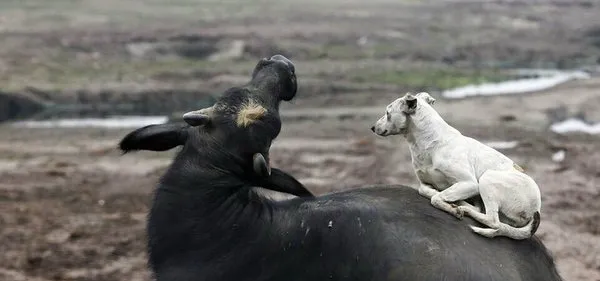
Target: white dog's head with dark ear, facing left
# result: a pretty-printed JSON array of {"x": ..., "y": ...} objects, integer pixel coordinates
[{"x": 394, "y": 121}]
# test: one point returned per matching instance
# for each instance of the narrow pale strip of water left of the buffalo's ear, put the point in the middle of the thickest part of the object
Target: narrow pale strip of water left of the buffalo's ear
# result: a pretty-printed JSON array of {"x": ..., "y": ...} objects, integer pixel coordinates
[{"x": 109, "y": 122}]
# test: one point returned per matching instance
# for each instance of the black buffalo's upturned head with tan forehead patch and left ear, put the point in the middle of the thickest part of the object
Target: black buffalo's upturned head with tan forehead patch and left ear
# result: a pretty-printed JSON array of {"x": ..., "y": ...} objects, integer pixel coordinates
[{"x": 243, "y": 121}]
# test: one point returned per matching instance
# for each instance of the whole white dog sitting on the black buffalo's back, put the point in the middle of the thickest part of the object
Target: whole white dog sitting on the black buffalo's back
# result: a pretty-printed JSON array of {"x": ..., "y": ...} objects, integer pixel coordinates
[{"x": 452, "y": 167}]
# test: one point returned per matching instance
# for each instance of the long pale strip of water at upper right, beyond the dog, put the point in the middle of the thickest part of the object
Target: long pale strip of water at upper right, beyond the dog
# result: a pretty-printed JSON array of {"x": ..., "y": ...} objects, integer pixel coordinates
[{"x": 547, "y": 79}]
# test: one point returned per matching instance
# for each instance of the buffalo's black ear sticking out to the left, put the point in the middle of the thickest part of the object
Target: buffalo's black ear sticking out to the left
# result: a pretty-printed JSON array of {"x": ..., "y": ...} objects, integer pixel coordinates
[{"x": 161, "y": 137}]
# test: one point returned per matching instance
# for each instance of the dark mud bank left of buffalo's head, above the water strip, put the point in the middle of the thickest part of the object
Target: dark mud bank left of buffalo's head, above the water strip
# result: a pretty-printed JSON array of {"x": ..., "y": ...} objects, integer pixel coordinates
[{"x": 88, "y": 103}]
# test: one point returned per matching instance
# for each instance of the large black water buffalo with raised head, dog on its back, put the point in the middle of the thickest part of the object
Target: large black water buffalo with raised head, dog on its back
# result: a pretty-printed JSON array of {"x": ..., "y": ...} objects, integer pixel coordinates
[{"x": 207, "y": 223}]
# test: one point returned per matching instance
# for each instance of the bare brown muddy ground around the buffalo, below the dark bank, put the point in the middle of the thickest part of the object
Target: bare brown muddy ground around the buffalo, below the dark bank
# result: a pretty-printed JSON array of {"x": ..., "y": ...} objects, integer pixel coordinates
[{"x": 73, "y": 208}]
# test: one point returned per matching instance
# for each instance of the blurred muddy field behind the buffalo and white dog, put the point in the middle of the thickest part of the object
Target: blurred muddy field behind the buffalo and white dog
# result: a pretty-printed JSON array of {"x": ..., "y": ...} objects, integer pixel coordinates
[{"x": 77, "y": 75}]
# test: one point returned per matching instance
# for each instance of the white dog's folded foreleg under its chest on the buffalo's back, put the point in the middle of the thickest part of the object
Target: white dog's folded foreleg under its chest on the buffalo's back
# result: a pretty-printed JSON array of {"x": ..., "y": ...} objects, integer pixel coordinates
[{"x": 456, "y": 192}]
